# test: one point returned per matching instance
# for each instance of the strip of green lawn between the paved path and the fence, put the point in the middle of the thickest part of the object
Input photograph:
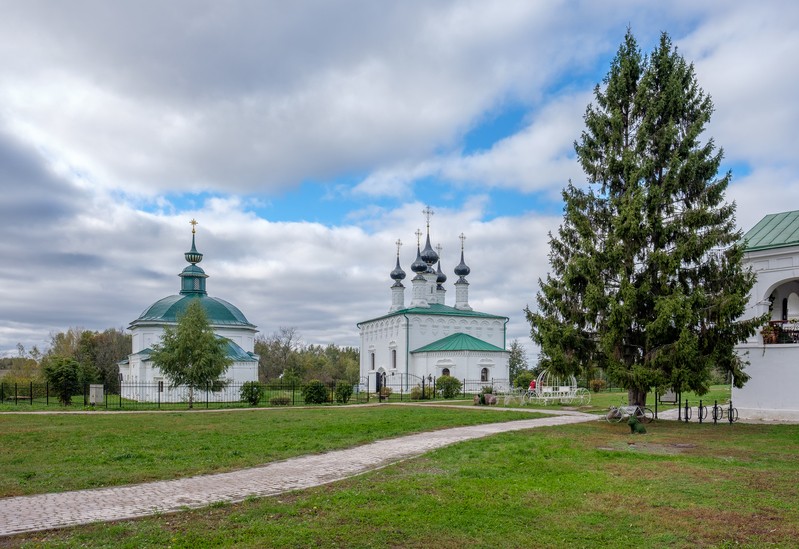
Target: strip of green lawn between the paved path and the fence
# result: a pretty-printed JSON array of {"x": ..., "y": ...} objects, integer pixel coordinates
[{"x": 53, "y": 453}]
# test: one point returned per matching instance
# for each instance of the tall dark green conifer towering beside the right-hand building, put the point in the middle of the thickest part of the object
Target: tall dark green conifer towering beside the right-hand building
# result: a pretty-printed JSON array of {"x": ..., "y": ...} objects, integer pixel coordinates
[{"x": 647, "y": 280}]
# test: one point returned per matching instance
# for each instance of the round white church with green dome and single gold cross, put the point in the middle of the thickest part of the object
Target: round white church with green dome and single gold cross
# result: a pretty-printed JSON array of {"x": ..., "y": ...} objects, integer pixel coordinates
[{"x": 142, "y": 380}]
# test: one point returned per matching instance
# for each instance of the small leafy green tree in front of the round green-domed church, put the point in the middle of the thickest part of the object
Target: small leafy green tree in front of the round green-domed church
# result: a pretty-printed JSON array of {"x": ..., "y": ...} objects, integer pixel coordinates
[{"x": 191, "y": 354}]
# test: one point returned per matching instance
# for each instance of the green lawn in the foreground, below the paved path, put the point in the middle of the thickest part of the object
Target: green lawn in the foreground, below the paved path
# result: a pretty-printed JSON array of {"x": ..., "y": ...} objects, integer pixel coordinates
[{"x": 588, "y": 485}]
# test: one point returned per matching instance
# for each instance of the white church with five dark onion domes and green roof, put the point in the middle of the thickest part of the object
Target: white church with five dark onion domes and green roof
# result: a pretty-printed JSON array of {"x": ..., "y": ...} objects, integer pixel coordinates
[{"x": 427, "y": 338}]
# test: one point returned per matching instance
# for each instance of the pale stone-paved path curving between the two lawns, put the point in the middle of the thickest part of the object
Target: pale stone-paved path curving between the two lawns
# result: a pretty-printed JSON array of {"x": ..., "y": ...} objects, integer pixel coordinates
[{"x": 47, "y": 511}]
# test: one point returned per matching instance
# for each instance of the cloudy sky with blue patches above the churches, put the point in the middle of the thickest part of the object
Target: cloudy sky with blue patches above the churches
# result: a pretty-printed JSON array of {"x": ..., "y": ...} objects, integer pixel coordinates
[{"x": 306, "y": 138}]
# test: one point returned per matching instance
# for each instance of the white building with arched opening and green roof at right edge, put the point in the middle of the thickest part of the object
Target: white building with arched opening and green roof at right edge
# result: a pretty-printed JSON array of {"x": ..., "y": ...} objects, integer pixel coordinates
[{"x": 772, "y": 251}]
